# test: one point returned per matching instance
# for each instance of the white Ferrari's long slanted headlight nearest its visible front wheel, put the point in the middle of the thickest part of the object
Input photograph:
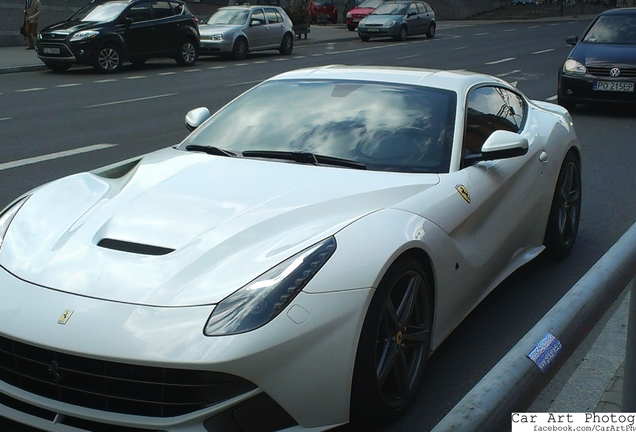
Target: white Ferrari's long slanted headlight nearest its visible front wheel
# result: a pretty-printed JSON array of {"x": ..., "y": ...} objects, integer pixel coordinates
[{"x": 265, "y": 297}]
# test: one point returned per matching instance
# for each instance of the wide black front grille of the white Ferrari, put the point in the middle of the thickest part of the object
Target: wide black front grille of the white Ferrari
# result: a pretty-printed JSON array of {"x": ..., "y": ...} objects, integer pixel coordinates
[{"x": 111, "y": 386}]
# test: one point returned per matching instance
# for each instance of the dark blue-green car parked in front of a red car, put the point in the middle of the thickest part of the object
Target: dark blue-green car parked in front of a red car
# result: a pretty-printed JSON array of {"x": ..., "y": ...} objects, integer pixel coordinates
[{"x": 398, "y": 19}]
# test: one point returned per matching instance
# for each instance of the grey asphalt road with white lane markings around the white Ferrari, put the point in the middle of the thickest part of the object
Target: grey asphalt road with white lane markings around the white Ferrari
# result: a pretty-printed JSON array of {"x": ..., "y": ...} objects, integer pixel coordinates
[{"x": 142, "y": 109}]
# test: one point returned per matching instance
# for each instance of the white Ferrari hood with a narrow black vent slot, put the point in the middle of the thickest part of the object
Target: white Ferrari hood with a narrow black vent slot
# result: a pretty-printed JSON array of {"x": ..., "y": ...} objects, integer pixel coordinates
[{"x": 186, "y": 228}]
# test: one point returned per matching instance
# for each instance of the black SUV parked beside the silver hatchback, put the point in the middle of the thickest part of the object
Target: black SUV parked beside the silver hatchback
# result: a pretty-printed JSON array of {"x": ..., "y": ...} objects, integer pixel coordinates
[{"x": 104, "y": 33}]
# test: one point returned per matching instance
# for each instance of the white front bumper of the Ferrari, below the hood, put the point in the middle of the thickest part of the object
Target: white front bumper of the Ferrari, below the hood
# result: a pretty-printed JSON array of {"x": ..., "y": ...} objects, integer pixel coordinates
[{"x": 301, "y": 362}]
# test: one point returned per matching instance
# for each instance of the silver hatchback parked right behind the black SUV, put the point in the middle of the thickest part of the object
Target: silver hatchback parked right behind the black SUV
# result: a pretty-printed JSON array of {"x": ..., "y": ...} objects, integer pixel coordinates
[{"x": 238, "y": 30}]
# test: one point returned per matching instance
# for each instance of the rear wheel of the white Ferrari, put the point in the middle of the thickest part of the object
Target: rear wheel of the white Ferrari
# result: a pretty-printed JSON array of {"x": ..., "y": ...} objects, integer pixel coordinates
[{"x": 565, "y": 212}]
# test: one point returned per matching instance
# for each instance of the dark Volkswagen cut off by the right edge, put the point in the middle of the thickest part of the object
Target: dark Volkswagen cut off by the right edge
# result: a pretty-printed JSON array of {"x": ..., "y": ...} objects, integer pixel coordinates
[{"x": 602, "y": 65}]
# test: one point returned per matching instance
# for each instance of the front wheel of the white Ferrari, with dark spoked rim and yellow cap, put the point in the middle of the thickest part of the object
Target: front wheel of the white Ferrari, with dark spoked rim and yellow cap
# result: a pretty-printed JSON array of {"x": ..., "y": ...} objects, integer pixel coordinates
[{"x": 394, "y": 344}]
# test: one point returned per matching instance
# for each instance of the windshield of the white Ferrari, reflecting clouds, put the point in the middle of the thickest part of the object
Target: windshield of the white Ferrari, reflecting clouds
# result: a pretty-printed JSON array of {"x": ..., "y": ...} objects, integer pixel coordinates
[{"x": 383, "y": 126}]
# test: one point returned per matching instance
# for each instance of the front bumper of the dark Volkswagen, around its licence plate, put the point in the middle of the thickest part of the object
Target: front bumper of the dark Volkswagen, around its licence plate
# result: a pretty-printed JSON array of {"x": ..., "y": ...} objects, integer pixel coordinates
[{"x": 580, "y": 89}]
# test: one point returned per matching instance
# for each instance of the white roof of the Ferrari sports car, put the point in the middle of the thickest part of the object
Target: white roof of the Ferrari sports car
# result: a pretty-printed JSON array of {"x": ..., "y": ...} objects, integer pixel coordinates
[{"x": 459, "y": 81}]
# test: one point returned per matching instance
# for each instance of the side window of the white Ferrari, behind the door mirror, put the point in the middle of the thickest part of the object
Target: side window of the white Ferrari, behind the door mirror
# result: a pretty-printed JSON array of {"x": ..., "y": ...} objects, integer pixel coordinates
[{"x": 491, "y": 109}]
